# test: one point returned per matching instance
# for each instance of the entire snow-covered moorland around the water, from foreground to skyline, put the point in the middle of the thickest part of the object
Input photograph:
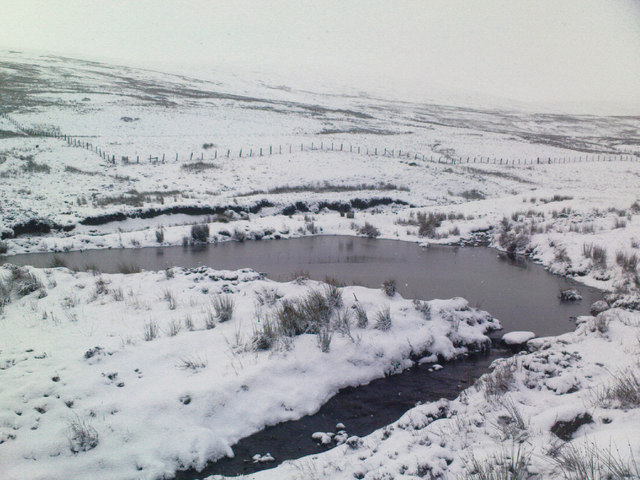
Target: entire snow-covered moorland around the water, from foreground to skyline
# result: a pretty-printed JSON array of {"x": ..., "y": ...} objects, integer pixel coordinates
[{"x": 98, "y": 371}]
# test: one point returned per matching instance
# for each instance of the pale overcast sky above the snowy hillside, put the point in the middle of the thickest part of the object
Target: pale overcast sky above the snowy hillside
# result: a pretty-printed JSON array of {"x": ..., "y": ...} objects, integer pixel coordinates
[{"x": 580, "y": 53}]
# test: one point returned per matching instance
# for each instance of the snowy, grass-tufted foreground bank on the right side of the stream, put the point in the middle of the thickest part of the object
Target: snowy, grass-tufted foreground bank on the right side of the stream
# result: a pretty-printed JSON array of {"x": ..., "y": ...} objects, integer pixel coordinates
[{"x": 570, "y": 409}]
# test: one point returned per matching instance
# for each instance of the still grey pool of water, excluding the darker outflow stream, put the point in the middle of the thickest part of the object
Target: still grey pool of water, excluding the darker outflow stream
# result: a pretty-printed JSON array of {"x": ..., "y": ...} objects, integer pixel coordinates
[{"x": 518, "y": 292}]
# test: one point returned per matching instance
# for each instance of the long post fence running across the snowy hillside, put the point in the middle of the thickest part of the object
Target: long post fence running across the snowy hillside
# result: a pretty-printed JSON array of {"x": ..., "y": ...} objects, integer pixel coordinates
[{"x": 320, "y": 146}]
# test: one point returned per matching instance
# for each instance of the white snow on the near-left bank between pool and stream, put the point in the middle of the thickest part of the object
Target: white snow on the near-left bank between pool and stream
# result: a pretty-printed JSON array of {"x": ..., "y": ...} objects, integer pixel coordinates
[{"x": 74, "y": 350}]
